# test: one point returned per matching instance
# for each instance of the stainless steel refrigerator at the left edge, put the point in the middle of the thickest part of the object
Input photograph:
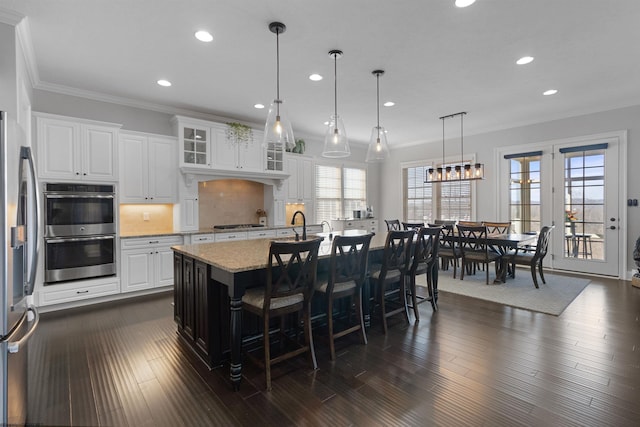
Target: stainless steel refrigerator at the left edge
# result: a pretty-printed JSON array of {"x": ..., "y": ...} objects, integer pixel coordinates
[{"x": 19, "y": 214}]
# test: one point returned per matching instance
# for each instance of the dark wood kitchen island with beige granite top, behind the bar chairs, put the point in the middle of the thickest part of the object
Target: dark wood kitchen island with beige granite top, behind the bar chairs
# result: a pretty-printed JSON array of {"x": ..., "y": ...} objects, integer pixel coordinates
[{"x": 209, "y": 282}]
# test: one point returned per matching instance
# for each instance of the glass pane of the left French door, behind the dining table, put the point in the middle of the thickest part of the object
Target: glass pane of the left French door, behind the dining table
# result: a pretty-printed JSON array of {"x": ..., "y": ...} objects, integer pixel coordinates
[{"x": 524, "y": 191}]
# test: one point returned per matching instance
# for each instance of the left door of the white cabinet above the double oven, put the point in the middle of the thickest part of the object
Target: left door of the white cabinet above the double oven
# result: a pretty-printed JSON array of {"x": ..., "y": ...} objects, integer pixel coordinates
[{"x": 58, "y": 153}]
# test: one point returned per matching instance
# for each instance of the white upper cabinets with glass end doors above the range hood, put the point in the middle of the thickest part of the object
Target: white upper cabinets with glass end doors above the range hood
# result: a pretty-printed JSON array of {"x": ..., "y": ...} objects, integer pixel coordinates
[{"x": 209, "y": 146}]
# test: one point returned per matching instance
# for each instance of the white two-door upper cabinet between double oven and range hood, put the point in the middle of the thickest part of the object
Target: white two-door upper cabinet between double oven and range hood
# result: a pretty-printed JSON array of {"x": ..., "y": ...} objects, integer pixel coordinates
[{"x": 148, "y": 171}]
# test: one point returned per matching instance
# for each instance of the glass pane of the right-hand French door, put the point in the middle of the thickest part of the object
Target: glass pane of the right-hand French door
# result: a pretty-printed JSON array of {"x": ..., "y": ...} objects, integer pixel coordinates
[{"x": 584, "y": 195}]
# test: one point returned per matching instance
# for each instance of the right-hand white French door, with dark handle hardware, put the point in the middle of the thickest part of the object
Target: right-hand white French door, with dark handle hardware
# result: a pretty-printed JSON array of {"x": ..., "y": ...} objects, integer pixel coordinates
[{"x": 586, "y": 206}]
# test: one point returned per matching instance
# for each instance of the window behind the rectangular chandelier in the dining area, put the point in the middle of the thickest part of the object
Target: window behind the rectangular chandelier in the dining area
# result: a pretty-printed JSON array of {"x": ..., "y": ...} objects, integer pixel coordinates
[{"x": 427, "y": 202}]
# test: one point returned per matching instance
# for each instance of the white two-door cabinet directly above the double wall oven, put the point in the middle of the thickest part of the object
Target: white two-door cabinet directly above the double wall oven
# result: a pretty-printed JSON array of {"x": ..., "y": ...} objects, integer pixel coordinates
[{"x": 76, "y": 149}]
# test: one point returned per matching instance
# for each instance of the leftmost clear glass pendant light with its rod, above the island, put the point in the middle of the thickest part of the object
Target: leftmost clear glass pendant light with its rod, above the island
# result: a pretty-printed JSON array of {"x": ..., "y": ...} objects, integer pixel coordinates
[{"x": 278, "y": 133}]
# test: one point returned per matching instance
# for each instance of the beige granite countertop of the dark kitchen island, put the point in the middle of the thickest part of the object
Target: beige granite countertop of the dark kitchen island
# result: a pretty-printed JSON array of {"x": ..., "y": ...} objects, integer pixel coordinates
[{"x": 225, "y": 255}]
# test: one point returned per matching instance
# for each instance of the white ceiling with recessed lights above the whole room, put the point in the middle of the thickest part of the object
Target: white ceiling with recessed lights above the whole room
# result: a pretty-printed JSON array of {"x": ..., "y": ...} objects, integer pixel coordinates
[{"x": 438, "y": 59}]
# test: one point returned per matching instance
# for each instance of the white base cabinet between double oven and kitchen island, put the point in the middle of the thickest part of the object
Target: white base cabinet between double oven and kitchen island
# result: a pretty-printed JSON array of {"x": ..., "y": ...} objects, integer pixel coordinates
[{"x": 147, "y": 262}]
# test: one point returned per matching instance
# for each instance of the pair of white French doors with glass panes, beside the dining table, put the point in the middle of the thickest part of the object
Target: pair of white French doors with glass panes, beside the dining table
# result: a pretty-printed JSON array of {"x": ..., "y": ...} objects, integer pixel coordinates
[{"x": 574, "y": 184}]
